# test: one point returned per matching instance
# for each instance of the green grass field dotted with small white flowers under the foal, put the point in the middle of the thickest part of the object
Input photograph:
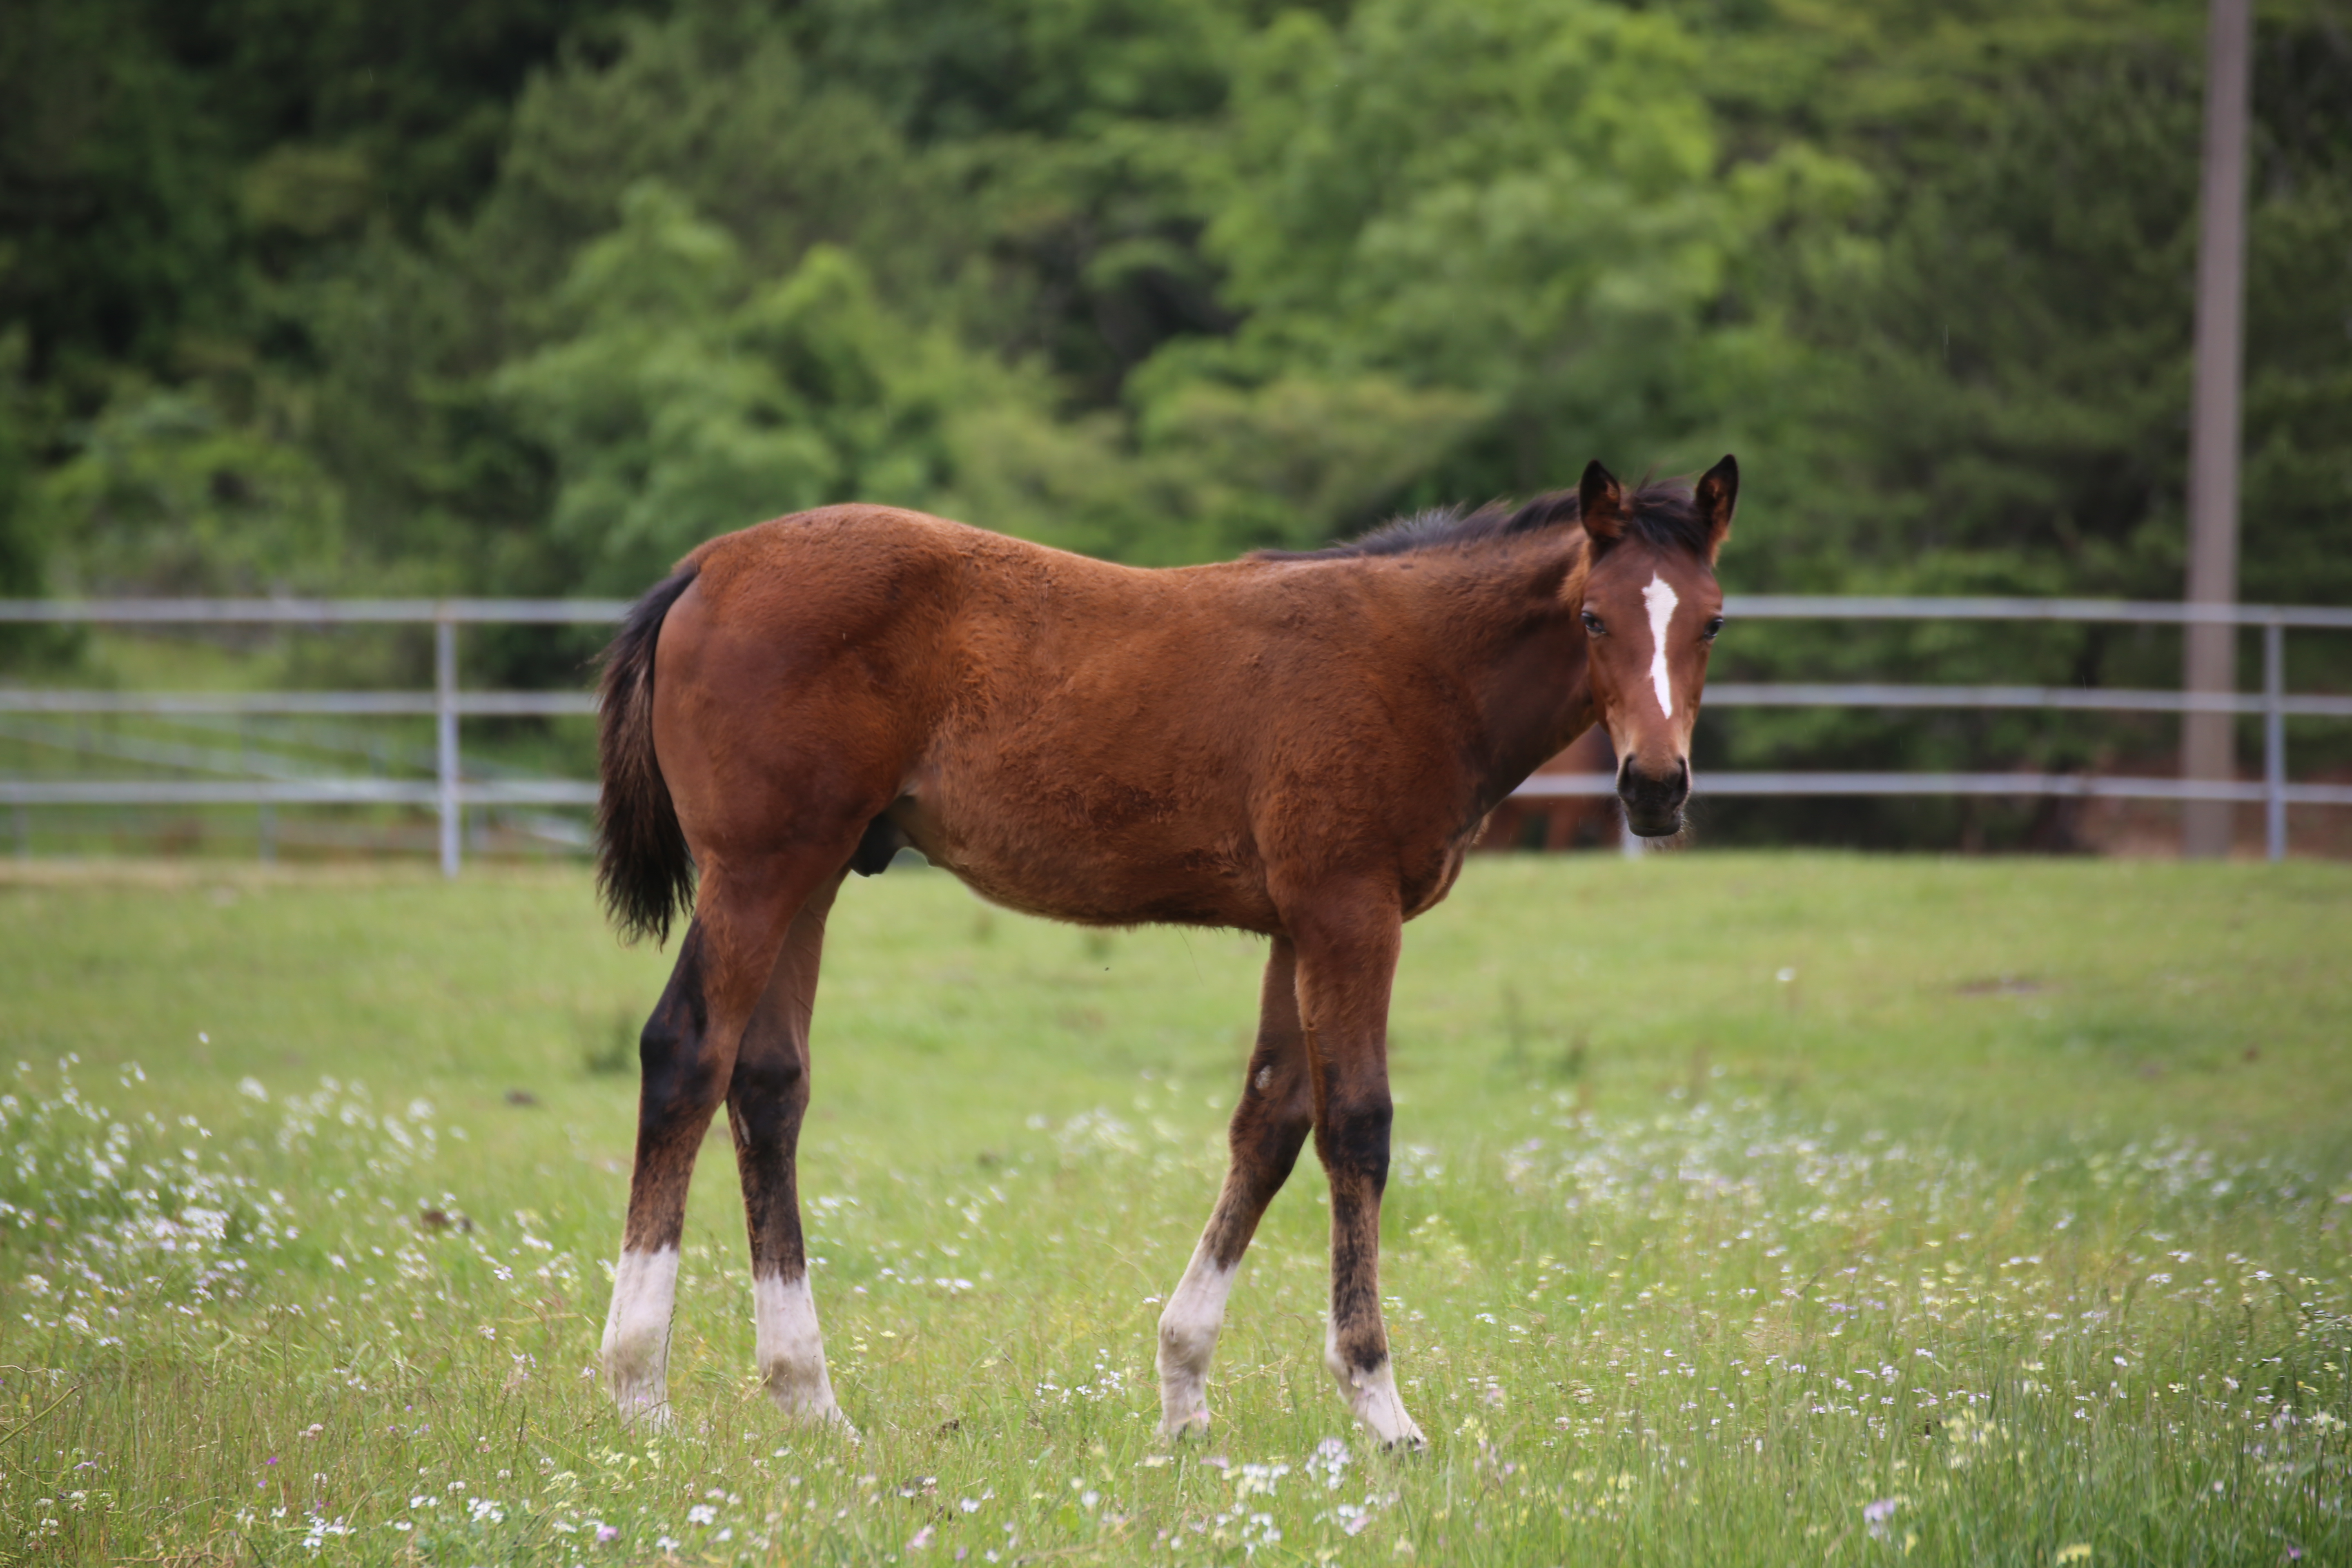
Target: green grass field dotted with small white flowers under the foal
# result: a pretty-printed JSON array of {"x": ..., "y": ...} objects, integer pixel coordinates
[{"x": 1746, "y": 1209}]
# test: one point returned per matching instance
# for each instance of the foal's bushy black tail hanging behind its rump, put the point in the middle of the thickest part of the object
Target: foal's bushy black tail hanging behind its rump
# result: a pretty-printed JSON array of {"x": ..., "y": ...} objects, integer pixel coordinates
[{"x": 643, "y": 869}]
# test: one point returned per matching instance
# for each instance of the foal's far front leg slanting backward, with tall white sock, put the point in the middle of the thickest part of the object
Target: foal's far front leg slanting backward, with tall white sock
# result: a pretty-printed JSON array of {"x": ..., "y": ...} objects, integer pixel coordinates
[{"x": 1269, "y": 1130}]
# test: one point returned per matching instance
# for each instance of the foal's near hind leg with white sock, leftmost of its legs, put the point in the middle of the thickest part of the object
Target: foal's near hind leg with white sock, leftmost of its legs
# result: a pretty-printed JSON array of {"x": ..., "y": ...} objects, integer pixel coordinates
[{"x": 688, "y": 1064}]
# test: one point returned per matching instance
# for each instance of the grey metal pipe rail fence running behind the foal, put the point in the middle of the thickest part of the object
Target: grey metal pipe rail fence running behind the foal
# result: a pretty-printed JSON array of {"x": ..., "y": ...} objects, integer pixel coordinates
[{"x": 450, "y": 793}]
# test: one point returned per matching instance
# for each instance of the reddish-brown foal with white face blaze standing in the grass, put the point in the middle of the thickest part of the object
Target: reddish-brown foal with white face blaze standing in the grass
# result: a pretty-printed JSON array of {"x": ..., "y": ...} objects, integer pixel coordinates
[{"x": 1299, "y": 746}]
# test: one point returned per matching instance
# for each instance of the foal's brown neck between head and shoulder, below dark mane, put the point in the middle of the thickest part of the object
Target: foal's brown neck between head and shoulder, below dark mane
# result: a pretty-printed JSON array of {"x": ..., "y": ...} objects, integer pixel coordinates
[{"x": 1521, "y": 657}]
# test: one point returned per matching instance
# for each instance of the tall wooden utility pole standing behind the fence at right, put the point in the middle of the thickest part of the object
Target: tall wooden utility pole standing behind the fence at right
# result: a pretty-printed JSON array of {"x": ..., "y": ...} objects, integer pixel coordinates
[{"x": 2207, "y": 739}]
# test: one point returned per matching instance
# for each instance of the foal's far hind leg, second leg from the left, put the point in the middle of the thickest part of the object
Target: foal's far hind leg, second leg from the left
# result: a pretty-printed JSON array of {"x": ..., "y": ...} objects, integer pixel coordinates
[{"x": 766, "y": 1104}]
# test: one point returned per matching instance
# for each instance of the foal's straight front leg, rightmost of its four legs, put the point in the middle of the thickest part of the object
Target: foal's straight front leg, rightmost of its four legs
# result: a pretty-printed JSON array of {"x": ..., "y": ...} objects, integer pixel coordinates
[{"x": 1347, "y": 965}]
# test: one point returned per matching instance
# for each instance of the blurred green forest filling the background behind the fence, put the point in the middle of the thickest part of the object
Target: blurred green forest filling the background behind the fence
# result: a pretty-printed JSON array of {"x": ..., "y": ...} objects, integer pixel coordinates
[{"x": 528, "y": 297}]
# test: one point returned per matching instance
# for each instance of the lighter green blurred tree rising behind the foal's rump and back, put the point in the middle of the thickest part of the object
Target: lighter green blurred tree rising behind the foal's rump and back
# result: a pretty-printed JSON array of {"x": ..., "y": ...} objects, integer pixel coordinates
[{"x": 686, "y": 398}]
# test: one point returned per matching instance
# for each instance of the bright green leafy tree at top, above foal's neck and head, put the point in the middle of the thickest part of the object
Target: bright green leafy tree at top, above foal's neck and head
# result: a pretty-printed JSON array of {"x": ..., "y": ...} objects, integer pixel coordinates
[{"x": 1514, "y": 201}]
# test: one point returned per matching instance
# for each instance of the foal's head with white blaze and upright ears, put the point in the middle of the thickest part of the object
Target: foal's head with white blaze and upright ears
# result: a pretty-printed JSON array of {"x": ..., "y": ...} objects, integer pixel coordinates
[{"x": 1652, "y": 610}]
